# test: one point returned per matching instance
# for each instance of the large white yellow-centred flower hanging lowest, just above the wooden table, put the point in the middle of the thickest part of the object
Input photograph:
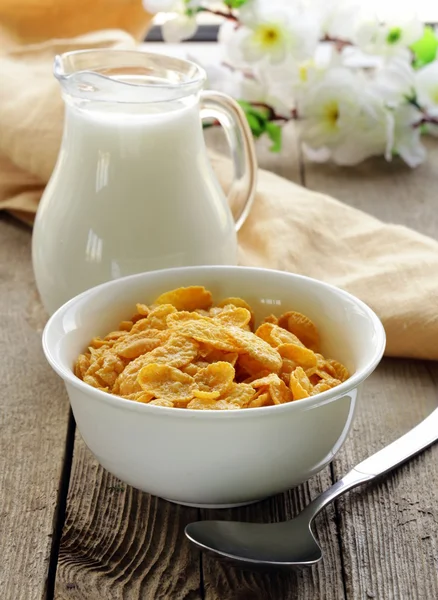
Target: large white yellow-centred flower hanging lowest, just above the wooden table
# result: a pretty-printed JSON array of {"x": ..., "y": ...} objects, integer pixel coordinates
[{"x": 342, "y": 119}]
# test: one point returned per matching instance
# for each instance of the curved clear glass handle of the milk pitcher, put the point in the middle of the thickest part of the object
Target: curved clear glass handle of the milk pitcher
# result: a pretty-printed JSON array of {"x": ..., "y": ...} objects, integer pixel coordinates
[{"x": 232, "y": 118}]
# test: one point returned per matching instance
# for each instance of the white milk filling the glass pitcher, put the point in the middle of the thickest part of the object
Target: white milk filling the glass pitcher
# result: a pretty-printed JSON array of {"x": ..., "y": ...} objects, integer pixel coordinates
[{"x": 130, "y": 192}]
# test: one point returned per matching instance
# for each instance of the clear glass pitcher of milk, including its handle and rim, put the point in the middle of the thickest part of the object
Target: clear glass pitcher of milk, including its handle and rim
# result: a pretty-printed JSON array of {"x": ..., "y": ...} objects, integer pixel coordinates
[{"x": 133, "y": 189}]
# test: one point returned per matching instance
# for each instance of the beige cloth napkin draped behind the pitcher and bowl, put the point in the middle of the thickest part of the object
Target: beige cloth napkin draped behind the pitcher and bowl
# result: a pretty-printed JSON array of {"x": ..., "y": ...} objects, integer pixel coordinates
[{"x": 391, "y": 268}]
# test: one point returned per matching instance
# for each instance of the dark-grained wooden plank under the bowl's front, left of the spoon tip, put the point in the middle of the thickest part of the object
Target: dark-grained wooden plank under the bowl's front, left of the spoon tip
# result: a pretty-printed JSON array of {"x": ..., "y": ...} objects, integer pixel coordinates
[{"x": 119, "y": 543}]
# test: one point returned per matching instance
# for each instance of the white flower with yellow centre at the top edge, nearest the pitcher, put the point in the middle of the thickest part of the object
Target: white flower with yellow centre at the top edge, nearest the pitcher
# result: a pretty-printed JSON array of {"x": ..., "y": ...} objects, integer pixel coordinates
[{"x": 273, "y": 31}]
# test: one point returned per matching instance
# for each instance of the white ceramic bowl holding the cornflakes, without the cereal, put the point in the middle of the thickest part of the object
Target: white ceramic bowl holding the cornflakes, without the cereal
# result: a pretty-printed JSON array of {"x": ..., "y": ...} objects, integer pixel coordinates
[{"x": 214, "y": 458}]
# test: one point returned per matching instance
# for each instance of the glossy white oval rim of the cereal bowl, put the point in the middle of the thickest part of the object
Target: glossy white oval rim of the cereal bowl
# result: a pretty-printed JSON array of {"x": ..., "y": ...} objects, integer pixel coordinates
[{"x": 353, "y": 382}]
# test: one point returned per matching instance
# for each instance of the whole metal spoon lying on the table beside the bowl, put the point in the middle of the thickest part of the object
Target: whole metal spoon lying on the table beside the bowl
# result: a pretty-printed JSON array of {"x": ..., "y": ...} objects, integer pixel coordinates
[{"x": 292, "y": 543}]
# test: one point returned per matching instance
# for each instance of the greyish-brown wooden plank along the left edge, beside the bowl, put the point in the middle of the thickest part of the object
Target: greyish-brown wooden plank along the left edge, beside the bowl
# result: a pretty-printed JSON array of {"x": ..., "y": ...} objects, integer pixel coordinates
[{"x": 33, "y": 426}]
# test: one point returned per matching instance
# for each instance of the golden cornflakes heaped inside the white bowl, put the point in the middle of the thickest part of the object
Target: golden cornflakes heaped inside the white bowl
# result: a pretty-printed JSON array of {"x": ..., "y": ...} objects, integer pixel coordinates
[{"x": 184, "y": 352}]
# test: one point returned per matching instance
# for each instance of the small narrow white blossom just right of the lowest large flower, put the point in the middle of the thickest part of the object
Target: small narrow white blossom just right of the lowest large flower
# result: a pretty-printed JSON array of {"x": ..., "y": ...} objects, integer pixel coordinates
[{"x": 407, "y": 143}]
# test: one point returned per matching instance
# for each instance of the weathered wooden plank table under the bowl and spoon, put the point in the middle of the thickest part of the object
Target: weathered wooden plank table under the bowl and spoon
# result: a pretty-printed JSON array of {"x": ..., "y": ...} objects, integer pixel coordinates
[{"x": 71, "y": 531}]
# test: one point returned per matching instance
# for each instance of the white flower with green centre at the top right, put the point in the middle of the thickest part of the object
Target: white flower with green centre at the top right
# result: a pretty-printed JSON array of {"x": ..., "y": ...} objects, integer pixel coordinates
[{"x": 391, "y": 38}]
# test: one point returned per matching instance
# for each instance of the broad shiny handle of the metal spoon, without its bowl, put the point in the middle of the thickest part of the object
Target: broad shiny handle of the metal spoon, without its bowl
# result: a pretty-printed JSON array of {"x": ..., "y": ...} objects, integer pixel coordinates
[{"x": 391, "y": 456}]
